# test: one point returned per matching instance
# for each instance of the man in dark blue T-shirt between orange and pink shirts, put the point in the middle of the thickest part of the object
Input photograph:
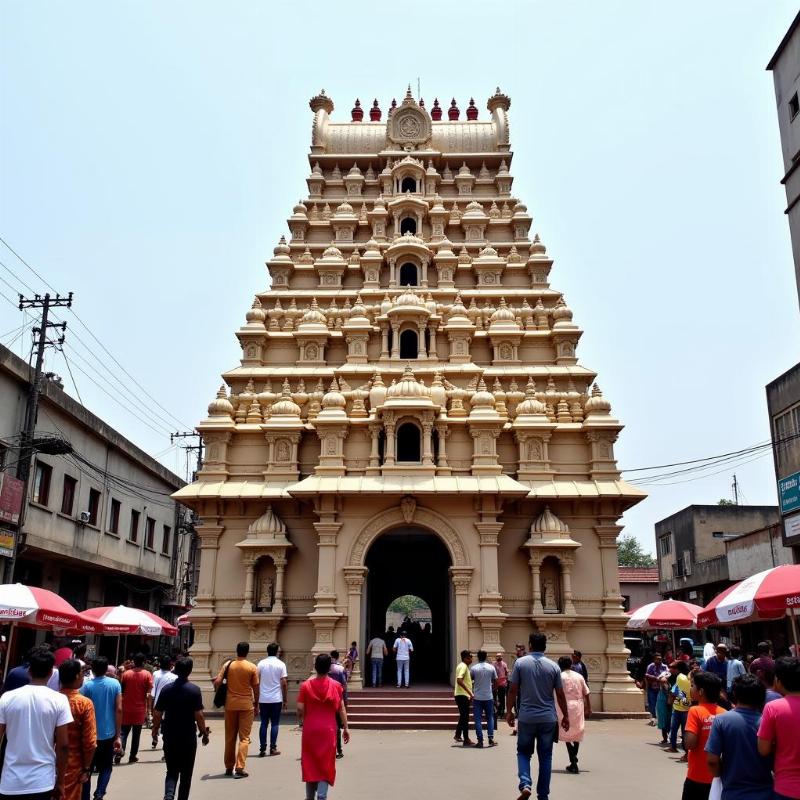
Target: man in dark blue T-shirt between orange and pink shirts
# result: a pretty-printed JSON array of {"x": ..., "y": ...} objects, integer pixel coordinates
[{"x": 732, "y": 747}]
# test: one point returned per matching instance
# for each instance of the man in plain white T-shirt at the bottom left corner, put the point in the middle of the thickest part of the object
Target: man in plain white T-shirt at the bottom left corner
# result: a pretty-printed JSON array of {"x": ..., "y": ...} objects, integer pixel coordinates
[{"x": 34, "y": 720}]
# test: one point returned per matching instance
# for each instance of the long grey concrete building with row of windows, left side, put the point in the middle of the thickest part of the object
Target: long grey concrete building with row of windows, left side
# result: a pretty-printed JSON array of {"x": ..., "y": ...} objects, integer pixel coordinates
[{"x": 101, "y": 527}]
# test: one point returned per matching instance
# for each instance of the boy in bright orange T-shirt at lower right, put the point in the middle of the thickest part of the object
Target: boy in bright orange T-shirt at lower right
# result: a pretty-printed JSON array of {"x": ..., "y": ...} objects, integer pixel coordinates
[{"x": 706, "y": 689}]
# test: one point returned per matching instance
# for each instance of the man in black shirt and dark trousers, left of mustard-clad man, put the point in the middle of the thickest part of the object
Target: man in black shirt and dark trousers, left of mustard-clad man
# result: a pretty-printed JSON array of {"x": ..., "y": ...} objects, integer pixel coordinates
[{"x": 180, "y": 705}]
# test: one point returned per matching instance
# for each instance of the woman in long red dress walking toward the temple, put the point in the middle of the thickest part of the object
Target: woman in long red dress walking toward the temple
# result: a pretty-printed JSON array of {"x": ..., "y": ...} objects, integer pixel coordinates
[{"x": 318, "y": 706}]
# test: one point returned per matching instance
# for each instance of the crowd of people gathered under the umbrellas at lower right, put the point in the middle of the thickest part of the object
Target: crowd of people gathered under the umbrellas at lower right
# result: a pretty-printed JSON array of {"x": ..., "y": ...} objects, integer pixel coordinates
[{"x": 738, "y": 719}]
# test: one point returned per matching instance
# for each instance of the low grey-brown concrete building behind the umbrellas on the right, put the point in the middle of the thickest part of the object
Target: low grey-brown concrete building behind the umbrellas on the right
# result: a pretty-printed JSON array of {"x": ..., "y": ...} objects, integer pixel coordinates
[{"x": 691, "y": 548}]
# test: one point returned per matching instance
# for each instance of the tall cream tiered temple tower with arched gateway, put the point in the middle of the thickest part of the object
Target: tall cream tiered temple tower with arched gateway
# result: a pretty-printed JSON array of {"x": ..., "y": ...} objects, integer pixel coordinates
[{"x": 409, "y": 416}]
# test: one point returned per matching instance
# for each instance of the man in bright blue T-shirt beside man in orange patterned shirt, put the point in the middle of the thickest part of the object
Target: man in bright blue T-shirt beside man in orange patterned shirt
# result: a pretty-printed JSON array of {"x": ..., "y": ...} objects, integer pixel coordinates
[{"x": 106, "y": 696}]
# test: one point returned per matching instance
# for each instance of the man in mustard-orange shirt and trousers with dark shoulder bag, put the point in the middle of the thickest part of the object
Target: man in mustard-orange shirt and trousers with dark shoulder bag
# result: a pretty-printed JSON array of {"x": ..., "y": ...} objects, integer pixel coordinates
[{"x": 241, "y": 706}]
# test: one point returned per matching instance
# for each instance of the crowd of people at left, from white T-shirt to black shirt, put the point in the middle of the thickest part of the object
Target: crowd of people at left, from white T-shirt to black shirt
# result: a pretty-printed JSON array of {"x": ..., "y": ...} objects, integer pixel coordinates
[{"x": 64, "y": 720}]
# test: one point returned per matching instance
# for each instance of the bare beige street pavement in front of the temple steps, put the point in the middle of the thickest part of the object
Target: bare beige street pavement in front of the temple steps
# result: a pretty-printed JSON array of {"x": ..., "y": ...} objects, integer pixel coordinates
[{"x": 617, "y": 755}]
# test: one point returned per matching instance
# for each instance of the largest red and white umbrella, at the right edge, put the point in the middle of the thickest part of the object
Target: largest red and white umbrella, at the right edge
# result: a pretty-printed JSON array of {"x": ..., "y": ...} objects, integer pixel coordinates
[{"x": 766, "y": 595}]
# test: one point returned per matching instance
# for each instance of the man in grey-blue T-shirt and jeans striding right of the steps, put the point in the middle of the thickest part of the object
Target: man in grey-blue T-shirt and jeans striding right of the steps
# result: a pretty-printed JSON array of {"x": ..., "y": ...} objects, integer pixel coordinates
[{"x": 535, "y": 678}]
